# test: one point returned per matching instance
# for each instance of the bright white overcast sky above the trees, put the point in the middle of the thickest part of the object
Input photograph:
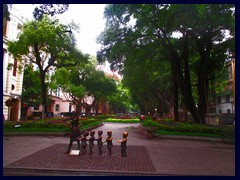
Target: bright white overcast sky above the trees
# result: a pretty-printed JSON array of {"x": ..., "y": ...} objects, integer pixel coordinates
[{"x": 88, "y": 16}]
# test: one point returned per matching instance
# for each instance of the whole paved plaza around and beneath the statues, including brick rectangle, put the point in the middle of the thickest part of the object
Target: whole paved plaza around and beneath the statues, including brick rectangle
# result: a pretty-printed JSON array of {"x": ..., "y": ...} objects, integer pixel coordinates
[{"x": 164, "y": 156}]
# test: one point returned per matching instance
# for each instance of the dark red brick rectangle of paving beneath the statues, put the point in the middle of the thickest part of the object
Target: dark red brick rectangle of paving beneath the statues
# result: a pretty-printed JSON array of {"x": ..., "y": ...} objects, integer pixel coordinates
[{"x": 52, "y": 157}]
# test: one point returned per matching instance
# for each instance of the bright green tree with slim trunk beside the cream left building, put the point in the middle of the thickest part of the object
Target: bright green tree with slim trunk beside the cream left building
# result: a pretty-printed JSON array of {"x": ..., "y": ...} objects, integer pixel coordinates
[{"x": 46, "y": 44}]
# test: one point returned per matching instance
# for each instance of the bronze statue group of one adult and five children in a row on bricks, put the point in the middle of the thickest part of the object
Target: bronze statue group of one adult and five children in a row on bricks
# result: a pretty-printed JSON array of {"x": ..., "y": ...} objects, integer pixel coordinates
[{"x": 75, "y": 136}]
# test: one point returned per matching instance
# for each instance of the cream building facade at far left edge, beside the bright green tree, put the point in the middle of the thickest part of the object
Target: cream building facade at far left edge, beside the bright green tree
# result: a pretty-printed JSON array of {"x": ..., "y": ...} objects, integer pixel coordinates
[{"x": 12, "y": 79}]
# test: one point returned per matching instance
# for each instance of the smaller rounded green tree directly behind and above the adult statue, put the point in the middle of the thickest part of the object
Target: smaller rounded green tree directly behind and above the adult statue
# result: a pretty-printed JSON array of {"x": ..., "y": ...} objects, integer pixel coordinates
[{"x": 83, "y": 80}]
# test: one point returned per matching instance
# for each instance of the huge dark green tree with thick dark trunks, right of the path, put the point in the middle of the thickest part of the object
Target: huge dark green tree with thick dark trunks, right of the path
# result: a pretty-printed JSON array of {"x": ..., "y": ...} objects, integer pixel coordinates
[{"x": 148, "y": 31}]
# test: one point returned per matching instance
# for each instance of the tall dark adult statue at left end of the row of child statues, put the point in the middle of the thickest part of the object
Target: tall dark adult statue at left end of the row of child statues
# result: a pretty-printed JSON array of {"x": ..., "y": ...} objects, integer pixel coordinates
[{"x": 74, "y": 131}]
